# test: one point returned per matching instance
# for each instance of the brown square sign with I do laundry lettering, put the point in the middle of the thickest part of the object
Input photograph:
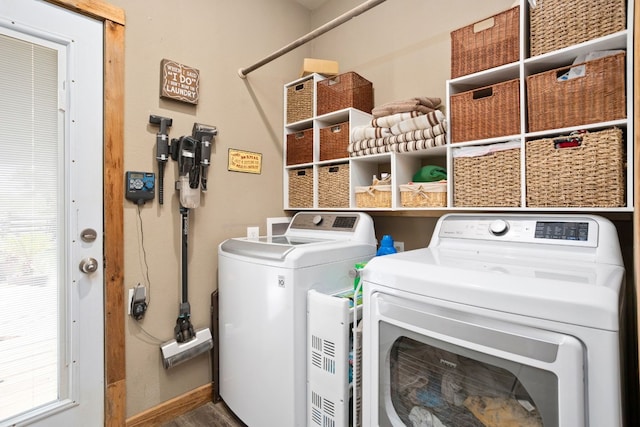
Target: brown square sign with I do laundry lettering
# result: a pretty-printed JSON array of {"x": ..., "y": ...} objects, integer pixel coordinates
[{"x": 179, "y": 82}]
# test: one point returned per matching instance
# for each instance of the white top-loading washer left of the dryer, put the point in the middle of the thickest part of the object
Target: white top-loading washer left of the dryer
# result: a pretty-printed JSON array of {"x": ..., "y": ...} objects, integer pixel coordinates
[{"x": 262, "y": 286}]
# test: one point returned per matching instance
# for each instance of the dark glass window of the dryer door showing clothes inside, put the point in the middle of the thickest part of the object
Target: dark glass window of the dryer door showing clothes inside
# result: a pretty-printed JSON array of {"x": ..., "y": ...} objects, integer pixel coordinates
[{"x": 429, "y": 383}]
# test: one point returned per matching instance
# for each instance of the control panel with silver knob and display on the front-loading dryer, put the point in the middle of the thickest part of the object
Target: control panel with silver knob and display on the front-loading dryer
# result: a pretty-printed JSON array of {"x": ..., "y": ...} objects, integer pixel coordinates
[{"x": 561, "y": 230}]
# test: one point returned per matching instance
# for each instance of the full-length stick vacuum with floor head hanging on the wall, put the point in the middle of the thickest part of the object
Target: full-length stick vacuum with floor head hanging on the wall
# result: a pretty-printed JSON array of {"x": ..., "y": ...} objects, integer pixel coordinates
[{"x": 193, "y": 156}]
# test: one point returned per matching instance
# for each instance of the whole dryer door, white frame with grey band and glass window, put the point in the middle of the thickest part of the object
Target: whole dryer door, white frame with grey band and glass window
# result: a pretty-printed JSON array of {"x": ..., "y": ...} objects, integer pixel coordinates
[{"x": 440, "y": 365}]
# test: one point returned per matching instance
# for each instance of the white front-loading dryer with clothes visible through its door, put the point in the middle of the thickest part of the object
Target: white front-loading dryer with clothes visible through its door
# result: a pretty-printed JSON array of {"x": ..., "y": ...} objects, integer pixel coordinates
[{"x": 516, "y": 310}]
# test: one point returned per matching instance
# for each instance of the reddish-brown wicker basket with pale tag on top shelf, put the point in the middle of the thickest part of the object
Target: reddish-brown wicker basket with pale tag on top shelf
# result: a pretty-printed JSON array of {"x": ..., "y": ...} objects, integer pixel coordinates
[{"x": 486, "y": 44}]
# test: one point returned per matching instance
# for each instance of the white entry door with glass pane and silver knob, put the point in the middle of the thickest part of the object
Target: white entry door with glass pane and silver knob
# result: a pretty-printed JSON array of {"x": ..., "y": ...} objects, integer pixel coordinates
[{"x": 51, "y": 217}]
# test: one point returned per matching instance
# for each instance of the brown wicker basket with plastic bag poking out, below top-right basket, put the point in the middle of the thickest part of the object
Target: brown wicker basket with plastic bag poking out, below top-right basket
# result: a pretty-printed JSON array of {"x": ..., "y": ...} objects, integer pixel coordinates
[{"x": 598, "y": 96}]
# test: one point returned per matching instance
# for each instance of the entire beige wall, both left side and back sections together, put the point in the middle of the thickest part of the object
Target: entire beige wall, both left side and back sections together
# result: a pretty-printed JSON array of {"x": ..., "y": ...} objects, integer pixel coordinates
[{"x": 402, "y": 46}]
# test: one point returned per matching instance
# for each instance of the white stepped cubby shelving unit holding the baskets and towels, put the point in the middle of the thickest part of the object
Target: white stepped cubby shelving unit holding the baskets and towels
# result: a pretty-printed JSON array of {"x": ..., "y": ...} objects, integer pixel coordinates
[{"x": 402, "y": 166}]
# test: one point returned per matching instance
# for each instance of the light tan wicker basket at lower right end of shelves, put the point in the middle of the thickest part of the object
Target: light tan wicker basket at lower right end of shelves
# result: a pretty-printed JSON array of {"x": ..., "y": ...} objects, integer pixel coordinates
[{"x": 584, "y": 170}]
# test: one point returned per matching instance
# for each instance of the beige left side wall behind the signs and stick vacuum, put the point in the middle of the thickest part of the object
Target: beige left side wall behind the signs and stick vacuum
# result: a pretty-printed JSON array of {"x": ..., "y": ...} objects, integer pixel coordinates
[{"x": 217, "y": 37}]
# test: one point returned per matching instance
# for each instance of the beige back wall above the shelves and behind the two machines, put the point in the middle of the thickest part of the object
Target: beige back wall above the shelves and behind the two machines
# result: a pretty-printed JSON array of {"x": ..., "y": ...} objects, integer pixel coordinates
[{"x": 403, "y": 47}]
